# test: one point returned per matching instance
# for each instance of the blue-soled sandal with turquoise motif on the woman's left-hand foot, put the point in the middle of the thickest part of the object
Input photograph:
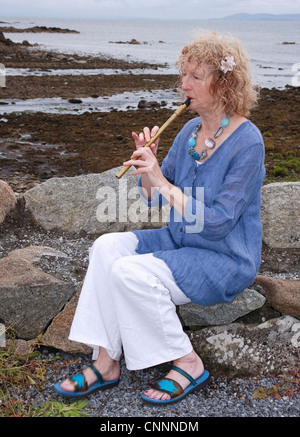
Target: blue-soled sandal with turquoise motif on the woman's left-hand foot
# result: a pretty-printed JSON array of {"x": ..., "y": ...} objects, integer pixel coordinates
[{"x": 81, "y": 387}]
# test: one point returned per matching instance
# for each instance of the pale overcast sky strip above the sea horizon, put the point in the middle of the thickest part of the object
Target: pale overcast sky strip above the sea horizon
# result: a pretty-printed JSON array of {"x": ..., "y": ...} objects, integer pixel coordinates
[{"x": 197, "y": 9}]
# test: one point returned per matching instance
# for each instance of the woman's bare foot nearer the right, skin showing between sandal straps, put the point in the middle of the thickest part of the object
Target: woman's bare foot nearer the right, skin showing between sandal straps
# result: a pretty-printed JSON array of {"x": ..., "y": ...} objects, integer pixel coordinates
[{"x": 191, "y": 363}]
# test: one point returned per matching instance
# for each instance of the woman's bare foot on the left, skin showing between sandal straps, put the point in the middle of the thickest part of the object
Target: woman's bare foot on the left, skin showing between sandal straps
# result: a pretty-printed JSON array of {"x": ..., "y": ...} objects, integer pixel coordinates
[{"x": 107, "y": 367}]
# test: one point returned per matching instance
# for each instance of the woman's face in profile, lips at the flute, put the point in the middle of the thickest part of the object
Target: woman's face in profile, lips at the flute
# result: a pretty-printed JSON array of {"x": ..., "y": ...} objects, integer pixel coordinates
[{"x": 195, "y": 84}]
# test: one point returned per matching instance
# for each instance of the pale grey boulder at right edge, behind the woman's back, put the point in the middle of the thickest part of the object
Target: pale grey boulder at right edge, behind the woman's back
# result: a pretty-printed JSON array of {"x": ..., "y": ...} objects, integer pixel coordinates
[{"x": 280, "y": 212}]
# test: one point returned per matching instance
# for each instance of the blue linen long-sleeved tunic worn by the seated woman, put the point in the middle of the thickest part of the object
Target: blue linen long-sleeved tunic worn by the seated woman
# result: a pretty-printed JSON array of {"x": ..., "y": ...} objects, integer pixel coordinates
[{"x": 214, "y": 261}]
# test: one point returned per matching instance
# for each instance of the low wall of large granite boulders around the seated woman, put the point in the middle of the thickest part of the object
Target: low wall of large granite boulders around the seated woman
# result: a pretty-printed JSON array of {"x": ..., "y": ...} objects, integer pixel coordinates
[{"x": 36, "y": 303}]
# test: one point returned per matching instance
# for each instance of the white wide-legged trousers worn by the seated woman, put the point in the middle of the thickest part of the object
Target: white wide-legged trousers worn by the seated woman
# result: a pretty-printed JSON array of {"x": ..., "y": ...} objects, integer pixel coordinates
[{"x": 128, "y": 301}]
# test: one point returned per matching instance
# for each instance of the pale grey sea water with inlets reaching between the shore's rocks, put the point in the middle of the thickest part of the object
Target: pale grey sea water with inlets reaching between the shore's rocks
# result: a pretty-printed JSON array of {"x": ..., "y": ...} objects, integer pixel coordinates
[{"x": 274, "y": 64}]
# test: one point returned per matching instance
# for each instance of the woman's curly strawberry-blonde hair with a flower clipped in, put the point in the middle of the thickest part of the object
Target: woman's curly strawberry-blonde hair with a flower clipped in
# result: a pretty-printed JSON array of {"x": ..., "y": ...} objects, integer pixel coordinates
[{"x": 234, "y": 90}]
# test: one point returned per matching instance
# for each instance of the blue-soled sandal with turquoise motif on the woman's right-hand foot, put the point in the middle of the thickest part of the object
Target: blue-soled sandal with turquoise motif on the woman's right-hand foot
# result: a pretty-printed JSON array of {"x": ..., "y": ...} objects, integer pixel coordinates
[{"x": 174, "y": 389}]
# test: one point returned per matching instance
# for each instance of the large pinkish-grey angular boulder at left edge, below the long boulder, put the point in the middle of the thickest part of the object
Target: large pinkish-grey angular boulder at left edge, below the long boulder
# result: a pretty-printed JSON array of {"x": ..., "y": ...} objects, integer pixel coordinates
[{"x": 30, "y": 298}]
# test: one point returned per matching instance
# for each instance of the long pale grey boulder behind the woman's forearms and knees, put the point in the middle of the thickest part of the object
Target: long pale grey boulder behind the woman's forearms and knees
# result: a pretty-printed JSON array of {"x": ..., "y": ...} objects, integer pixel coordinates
[{"x": 93, "y": 203}]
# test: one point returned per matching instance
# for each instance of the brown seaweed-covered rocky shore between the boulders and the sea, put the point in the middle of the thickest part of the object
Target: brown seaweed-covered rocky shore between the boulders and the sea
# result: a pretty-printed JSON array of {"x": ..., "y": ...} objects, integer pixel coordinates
[{"x": 36, "y": 146}]
